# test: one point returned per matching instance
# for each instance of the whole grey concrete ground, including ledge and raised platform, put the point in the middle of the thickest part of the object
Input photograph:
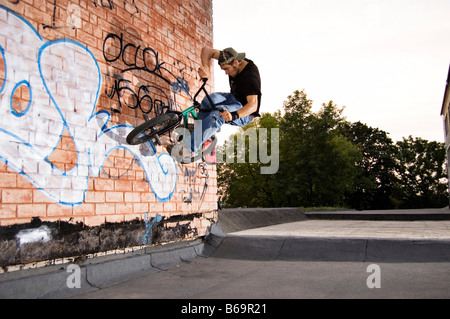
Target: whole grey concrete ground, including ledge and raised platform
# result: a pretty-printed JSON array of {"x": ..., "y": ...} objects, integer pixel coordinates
[{"x": 306, "y": 256}]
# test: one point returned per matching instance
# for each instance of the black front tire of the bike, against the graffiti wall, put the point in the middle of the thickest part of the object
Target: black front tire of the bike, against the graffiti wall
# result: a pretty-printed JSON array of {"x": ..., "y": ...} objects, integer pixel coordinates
[{"x": 158, "y": 125}]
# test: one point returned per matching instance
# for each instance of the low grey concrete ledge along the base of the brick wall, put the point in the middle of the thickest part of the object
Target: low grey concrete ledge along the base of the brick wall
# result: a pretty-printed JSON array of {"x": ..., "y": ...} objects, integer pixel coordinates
[{"x": 96, "y": 273}]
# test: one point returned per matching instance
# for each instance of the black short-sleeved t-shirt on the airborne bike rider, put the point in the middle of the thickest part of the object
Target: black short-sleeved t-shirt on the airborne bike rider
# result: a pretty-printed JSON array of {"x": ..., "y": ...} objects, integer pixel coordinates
[{"x": 246, "y": 83}]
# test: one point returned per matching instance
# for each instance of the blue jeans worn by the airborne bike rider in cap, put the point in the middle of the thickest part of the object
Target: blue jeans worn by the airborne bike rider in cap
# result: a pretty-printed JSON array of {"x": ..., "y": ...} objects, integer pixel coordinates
[{"x": 211, "y": 119}]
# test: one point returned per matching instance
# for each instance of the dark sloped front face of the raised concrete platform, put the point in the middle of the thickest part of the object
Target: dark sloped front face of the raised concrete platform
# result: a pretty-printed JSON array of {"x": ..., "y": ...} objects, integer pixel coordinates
[{"x": 332, "y": 249}]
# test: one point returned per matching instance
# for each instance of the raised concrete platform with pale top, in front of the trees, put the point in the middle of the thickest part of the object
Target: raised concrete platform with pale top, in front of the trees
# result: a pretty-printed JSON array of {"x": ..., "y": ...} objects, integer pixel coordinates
[{"x": 288, "y": 234}]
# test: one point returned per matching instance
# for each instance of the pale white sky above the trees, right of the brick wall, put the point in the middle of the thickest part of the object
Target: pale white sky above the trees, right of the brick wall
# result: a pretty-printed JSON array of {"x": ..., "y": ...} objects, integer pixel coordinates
[{"x": 386, "y": 61}]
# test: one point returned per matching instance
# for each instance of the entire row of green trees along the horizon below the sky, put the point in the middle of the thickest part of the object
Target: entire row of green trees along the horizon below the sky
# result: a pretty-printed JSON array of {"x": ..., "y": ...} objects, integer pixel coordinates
[{"x": 326, "y": 161}]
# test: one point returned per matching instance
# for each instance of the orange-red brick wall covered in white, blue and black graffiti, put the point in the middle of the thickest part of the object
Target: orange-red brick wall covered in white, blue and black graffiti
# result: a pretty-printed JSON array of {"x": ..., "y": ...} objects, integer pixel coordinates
[{"x": 75, "y": 77}]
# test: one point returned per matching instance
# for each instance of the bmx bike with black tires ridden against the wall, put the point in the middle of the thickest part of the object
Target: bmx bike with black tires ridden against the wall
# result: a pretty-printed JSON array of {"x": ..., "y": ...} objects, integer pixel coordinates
[{"x": 151, "y": 129}]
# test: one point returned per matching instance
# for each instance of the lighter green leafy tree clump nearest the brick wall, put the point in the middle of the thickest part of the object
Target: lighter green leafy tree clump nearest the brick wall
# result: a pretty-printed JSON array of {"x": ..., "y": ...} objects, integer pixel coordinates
[{"x": 316, "y": 161}]
